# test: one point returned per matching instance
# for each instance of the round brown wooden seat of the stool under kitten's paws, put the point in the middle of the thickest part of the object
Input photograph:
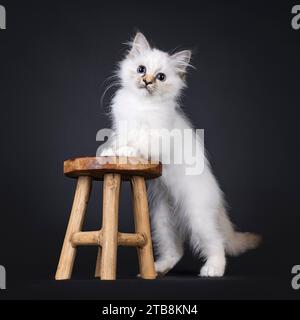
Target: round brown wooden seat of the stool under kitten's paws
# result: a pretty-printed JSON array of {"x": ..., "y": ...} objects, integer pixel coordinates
[{"x": 97, "y": 167}]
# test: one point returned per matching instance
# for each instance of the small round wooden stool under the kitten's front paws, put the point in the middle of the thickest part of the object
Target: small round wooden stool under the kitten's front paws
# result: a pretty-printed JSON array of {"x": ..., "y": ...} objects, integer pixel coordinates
[{"x": 111, "y": 170}]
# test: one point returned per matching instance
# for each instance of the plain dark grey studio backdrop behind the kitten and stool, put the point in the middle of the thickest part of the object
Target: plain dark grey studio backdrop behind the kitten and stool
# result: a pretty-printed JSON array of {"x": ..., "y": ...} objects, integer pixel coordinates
[{"x": 54, "y": 58}]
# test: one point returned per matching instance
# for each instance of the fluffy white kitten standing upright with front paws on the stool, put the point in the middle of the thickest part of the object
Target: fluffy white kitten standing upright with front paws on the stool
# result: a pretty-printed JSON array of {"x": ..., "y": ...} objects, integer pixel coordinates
[{"x": 183, "y": 207}]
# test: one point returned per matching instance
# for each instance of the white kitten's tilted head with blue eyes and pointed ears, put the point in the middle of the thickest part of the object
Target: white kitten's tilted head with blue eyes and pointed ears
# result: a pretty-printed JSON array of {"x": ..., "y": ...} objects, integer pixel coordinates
[{"x": 151, "y": 72}]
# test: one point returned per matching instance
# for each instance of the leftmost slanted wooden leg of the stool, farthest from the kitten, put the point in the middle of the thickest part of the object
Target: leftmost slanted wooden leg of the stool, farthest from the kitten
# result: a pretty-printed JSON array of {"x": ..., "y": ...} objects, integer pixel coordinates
[{"x": 68, "y": 252}]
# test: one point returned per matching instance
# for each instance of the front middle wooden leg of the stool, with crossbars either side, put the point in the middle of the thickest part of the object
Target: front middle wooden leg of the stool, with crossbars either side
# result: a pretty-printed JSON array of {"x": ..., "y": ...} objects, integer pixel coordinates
[{"x": 111, "y": 192}]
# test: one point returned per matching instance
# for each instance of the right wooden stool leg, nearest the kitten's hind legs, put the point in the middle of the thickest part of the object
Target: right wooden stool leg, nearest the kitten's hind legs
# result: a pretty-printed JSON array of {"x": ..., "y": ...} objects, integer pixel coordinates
[{"x": 142, "y": 225}]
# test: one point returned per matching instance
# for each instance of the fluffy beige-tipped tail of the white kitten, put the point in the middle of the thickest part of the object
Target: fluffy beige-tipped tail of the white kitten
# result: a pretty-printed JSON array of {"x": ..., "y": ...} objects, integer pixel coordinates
[{"x": 237, "y": 242}]
